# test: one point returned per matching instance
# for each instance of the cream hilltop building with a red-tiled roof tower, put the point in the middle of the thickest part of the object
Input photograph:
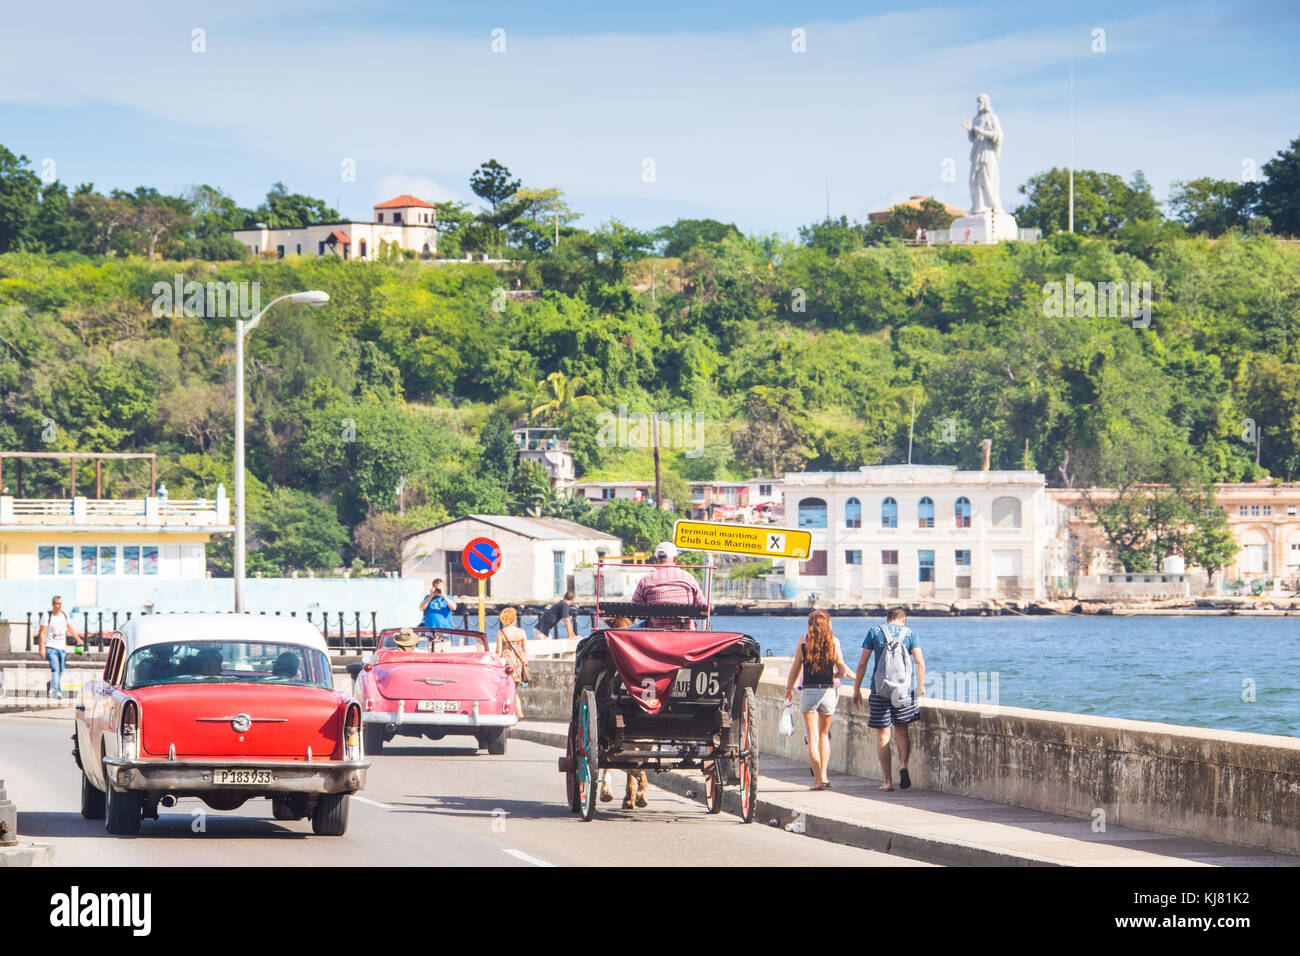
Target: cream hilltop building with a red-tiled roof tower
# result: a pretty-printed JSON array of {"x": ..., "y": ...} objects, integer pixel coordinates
[{"x": 408, "y": 224}]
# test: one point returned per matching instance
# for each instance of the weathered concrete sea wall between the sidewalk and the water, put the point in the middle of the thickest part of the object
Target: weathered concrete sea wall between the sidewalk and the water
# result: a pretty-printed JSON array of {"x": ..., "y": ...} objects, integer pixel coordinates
[{"x": 1219, "y": 786}]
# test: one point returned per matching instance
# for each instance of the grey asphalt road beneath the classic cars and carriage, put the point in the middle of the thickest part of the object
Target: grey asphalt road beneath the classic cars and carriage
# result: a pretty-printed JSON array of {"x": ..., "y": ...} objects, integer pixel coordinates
[{"x": 424, "y": 806}]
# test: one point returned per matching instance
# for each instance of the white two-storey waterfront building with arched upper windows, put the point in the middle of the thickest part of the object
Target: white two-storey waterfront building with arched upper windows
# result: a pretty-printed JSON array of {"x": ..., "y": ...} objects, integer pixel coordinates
[{"x": 924, "y": 531}]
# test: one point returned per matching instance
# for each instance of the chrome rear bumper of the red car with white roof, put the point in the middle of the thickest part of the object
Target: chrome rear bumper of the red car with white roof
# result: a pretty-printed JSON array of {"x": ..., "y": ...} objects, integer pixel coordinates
[{"x": 193, "y": 776}]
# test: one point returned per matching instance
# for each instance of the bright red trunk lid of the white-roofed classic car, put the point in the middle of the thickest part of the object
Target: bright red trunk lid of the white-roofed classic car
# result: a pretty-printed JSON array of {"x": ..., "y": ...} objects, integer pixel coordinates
[{"x": 179, "y": 715}]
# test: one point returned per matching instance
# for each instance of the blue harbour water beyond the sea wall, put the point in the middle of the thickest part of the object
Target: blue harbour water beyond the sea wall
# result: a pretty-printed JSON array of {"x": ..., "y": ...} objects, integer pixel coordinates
[{"x": 1223, "y": 673}]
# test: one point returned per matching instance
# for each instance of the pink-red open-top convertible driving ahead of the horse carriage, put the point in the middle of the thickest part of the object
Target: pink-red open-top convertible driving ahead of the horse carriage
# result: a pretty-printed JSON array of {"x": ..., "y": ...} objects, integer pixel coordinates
[{"x": 424, "y": 682}]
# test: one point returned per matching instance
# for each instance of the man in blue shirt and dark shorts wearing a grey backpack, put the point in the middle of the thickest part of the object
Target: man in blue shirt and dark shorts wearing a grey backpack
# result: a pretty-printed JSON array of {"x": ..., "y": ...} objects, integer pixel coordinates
[{"x": 895, "y": 689}]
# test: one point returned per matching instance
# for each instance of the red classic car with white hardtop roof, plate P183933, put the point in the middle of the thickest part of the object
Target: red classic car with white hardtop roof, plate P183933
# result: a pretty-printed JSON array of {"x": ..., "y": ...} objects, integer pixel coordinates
[{"x": 220, "y": 707}]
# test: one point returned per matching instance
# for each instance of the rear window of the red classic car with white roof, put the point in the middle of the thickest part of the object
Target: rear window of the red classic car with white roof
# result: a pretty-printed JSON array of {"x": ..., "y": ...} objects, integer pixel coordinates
[{"x": 227, "y": 663}]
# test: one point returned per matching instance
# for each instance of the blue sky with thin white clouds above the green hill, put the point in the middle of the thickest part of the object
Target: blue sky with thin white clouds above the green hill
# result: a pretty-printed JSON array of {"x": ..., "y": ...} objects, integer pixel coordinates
[{"x": 739, "y": 127}]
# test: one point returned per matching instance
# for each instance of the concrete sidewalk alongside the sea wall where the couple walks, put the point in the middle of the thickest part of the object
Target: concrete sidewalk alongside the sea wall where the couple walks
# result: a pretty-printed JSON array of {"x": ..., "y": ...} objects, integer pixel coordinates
[{"x": 938, "y": 828}]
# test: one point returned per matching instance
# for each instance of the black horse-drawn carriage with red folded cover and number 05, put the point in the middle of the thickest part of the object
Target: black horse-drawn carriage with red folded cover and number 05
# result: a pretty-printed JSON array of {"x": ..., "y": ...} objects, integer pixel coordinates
[{"x": 656, "y": 698}]
